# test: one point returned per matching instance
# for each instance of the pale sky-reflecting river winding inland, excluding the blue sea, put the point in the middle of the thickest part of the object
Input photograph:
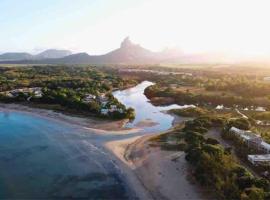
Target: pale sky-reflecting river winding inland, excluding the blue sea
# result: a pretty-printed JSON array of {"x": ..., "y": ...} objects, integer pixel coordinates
[{"x": 145, "y": 111}]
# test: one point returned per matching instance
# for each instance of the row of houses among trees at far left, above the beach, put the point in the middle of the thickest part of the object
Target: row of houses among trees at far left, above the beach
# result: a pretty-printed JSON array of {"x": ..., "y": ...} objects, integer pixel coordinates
[{"x": 34, "y": 91}]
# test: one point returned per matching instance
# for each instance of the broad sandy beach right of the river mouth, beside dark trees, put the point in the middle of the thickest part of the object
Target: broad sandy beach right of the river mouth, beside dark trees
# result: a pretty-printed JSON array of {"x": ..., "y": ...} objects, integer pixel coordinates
[{"x": 163, "y": 174}]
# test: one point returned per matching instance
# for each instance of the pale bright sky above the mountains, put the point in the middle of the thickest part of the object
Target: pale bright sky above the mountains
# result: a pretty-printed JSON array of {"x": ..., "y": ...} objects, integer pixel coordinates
[{"x": 239, "y": 27}]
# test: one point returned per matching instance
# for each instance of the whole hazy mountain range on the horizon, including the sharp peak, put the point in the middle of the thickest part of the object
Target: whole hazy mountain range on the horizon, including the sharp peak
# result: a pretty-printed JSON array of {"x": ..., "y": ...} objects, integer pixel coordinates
[{"x": 127, "y": 53}]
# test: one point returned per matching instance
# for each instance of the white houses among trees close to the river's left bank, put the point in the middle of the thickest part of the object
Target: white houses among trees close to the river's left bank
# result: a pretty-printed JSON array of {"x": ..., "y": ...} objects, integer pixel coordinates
[{"x": 103, "y": 100}]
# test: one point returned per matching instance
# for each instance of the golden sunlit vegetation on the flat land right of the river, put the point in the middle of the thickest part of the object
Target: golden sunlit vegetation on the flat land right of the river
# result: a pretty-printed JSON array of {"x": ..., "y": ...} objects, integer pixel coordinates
[{"x": 212, "y": 88}]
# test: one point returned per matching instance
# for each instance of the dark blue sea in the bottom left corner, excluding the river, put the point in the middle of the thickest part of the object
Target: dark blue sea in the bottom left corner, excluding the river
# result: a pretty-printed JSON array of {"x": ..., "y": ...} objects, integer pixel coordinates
[{"x": 43, "y": 159}]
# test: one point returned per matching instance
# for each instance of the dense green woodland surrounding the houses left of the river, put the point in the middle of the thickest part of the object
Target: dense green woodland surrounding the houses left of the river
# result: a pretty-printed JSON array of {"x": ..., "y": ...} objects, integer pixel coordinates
[{"x": 65, "y": 86}]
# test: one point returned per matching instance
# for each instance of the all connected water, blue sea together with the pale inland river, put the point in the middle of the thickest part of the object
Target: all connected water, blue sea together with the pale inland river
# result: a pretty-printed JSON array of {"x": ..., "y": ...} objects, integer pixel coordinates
[{"x": 41, "y": 158}]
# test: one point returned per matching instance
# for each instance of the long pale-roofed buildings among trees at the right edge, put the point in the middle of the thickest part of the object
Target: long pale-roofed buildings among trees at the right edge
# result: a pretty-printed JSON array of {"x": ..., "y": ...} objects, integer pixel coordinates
[{"x": 254, "y": 141}]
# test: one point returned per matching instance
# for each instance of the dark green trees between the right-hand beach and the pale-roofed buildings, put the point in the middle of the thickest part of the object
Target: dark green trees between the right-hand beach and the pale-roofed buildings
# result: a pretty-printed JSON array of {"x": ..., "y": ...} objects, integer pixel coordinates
[{"x": 216, "y": 168}]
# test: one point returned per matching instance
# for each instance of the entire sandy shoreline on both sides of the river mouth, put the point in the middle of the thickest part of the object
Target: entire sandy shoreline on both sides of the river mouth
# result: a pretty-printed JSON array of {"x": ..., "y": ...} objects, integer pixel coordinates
[{"x": 139, "y": 170}]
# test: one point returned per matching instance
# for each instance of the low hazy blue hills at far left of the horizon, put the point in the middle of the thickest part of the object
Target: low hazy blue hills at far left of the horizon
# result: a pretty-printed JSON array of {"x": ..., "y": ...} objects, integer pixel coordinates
[{"x": 50, "y": 53}]
